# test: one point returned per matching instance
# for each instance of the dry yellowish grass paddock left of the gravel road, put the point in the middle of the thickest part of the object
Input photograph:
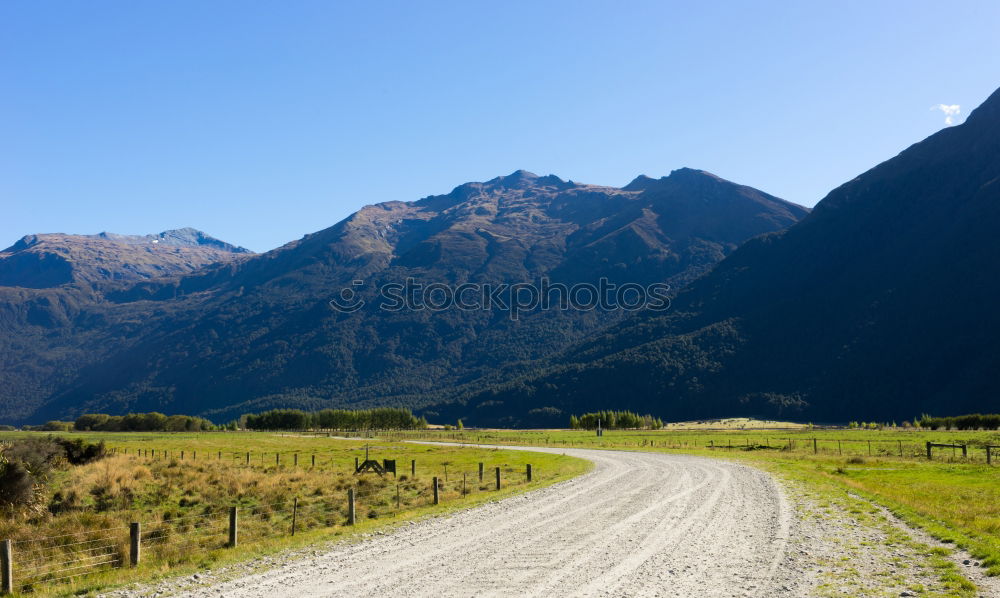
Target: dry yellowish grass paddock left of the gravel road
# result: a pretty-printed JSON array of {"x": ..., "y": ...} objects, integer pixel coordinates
[{"x": 180, "y": 486}]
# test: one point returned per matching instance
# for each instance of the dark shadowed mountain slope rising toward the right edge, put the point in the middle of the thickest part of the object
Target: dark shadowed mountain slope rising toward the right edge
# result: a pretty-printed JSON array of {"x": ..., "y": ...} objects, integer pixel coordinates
[{"x": 880, "y": 304}]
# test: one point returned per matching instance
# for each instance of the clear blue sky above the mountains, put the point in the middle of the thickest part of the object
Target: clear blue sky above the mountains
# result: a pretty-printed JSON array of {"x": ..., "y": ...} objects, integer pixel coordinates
[{"x": 259, "y": 122}]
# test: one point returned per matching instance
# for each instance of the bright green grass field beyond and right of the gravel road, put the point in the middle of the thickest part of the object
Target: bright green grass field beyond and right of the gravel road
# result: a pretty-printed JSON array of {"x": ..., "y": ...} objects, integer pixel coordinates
[{"x": 955, "y": 499}]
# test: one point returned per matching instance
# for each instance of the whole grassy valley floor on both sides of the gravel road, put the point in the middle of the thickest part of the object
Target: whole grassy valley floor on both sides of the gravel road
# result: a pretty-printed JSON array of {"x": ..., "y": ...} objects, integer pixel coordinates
[{"x": 179, "y": 486}]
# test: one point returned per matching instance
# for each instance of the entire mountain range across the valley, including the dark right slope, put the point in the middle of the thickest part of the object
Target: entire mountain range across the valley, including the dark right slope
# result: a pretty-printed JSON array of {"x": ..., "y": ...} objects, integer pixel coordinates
[{"x": 875, "y": 305}]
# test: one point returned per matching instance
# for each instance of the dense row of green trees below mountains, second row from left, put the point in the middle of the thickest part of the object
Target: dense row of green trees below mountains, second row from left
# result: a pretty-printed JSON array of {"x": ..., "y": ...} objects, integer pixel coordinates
[{"x": 381, "y": 418}]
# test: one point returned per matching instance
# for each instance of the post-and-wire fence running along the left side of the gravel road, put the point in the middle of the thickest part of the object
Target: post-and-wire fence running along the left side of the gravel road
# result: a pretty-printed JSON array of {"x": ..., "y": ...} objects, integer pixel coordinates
[{"x": 33, "y": 563}]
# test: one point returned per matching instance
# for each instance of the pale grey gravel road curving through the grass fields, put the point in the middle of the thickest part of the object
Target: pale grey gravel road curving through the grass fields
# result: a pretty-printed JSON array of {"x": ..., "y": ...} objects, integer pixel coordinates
[{"x": 639, "y": 524}]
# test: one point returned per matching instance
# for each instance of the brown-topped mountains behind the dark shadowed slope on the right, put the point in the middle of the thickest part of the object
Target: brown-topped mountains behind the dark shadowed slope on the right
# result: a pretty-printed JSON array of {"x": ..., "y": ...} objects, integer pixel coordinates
[{"x": 249, "y": 332}]
